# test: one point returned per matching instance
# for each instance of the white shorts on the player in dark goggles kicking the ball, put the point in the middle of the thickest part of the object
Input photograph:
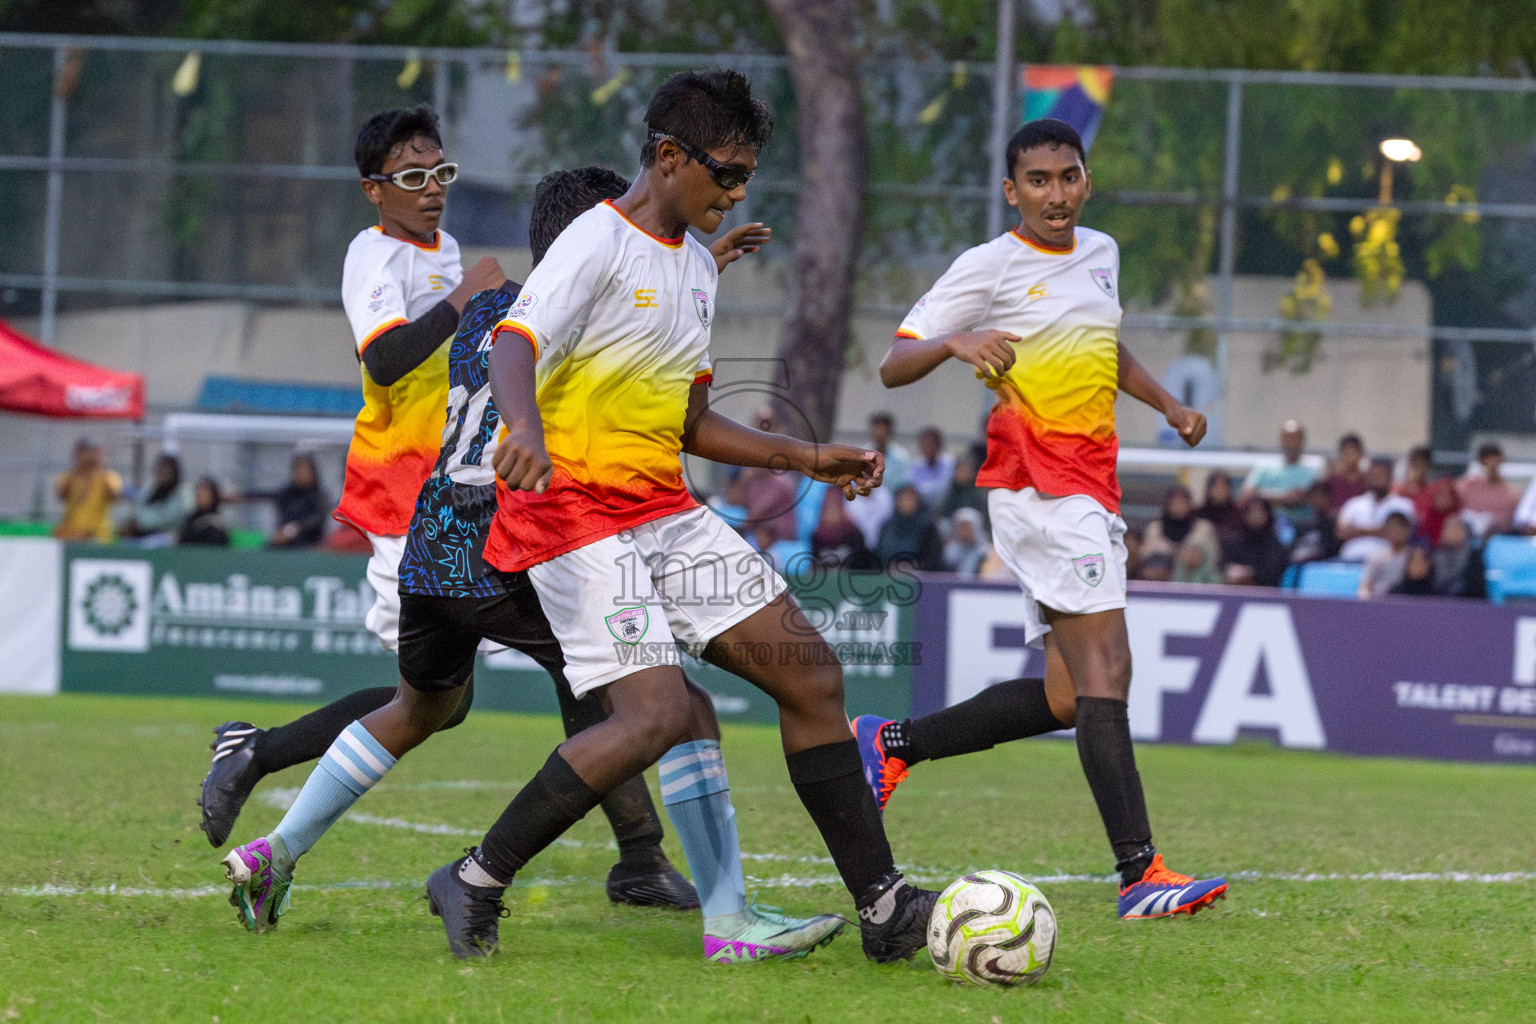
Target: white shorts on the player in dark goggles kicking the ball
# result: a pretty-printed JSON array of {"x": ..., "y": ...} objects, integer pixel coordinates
[{"x": 626, "y": 603}]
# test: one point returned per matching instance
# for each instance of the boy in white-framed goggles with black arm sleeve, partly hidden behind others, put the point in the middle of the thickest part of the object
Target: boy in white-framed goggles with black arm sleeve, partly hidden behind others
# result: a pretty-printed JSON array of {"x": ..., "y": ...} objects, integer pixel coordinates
[{"x": 403, "y": 292}]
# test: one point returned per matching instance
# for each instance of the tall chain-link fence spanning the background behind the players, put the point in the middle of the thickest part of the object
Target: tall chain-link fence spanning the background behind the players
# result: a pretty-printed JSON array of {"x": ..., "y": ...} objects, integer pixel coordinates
[{"x": 144, "y": 171}]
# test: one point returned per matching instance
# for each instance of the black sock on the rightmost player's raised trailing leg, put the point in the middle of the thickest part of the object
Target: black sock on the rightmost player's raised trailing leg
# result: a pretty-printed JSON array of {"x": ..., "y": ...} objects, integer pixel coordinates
[{"x": 1008, "y": 712}]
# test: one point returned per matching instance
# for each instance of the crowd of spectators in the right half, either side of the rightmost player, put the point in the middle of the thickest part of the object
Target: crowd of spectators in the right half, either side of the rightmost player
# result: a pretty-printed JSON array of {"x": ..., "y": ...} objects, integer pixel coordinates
[{"x": 1409, "y": 529}]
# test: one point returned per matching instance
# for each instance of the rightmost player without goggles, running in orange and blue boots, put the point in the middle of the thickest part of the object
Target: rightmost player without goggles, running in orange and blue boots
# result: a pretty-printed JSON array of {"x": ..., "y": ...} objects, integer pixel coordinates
[{"x": 1038, "y": 314}]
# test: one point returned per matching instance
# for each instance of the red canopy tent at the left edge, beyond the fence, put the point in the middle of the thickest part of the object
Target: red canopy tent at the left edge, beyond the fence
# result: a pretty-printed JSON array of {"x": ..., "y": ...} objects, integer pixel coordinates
[{"x": 38, "y": 380}]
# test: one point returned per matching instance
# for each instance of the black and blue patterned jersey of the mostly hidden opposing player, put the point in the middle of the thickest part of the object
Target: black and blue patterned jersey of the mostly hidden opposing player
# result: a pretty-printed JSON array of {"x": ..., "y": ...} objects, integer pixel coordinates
[{"x": 446, "y": 544}]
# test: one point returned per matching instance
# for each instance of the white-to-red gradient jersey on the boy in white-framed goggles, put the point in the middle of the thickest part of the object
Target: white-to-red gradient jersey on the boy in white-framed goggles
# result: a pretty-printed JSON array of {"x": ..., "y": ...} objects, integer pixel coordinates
[{"x": 386, "y": 283}]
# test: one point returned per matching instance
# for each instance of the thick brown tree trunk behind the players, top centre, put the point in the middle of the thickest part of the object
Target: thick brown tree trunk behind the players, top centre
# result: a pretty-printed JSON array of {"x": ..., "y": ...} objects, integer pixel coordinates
[{"x": 830, "y": 211}]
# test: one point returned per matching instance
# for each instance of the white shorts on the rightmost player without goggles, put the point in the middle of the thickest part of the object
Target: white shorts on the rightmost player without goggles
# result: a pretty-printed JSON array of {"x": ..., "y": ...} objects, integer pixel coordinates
[{"x": 1067, "y": 553}]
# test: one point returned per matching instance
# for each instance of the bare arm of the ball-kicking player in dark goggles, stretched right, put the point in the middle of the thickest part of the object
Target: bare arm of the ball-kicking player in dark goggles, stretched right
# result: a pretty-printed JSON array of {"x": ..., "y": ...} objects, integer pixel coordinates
[{"x": 721, "y": 440}]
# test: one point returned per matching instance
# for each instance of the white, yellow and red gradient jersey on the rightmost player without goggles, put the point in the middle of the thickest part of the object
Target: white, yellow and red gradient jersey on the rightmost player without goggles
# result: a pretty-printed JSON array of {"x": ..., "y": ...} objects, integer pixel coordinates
[{"x": 1054, "y": 423}]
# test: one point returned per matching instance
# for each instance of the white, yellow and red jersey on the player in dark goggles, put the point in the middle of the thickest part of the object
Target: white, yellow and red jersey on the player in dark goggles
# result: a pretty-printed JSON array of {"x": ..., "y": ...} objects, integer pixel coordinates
[{"x": 620, "y": 325}]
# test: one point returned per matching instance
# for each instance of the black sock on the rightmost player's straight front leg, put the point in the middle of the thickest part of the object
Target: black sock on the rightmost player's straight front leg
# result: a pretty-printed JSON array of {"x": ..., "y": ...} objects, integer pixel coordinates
[{"x": 1104, "y": 745}]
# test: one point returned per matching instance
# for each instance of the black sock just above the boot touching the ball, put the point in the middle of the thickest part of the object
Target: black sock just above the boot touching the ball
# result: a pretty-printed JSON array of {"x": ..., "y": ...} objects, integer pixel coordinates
[{"x": 830, "y": 784}]
